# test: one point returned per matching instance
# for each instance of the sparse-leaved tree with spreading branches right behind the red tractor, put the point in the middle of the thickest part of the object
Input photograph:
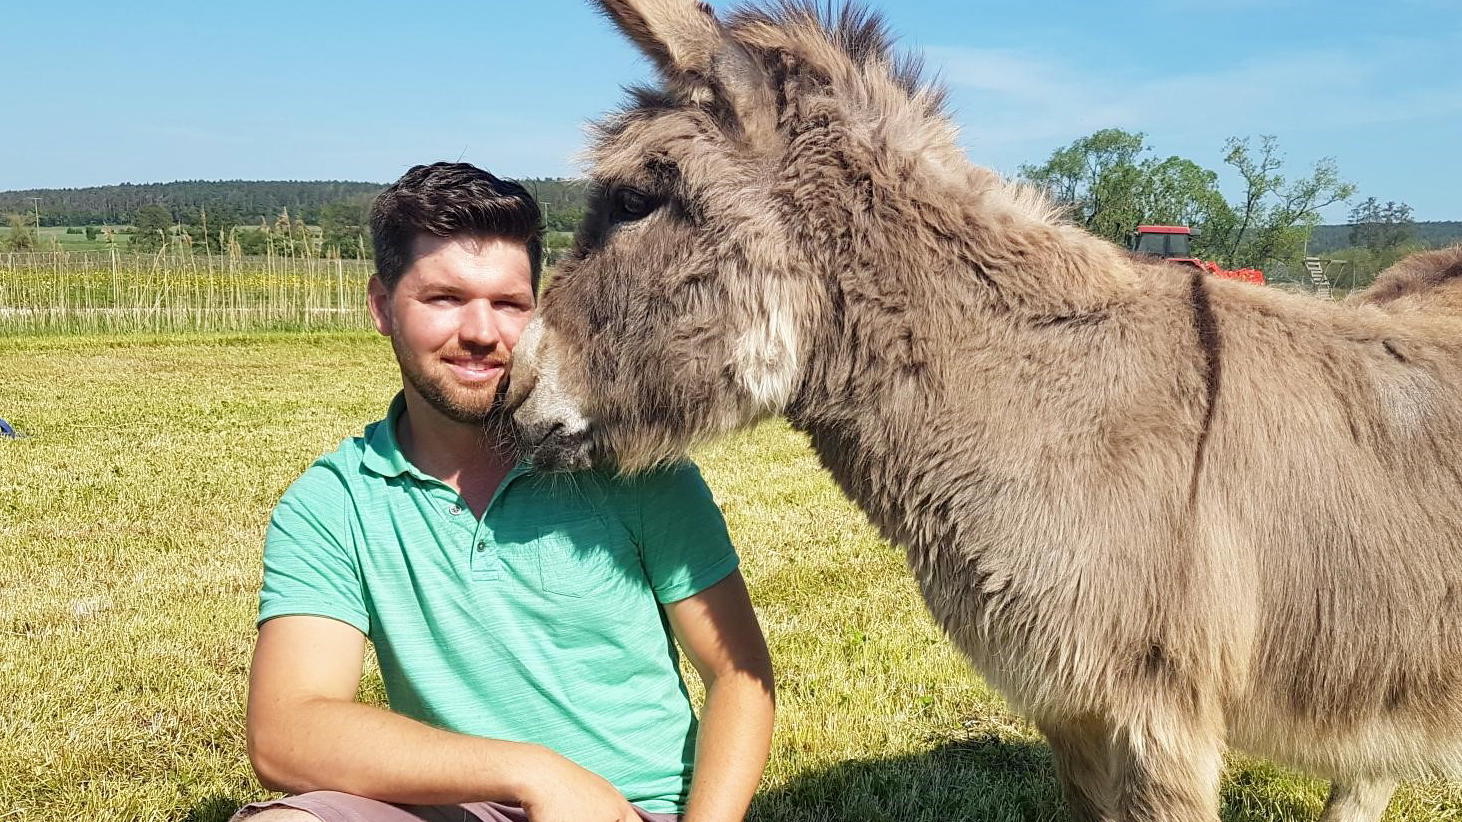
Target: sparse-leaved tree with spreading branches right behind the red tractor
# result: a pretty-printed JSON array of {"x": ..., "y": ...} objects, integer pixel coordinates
[{"x": 1276, "y": 217}]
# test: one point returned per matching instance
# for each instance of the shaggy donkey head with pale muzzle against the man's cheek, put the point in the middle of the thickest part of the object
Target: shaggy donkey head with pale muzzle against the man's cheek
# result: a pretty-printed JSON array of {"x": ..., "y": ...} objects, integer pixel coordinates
[{"x": 700, "y": 289}]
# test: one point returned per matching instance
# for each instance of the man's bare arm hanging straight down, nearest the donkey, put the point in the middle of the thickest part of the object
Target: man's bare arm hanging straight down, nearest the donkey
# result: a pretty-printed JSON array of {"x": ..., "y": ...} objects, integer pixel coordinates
[{"x": 719, "y": 631}]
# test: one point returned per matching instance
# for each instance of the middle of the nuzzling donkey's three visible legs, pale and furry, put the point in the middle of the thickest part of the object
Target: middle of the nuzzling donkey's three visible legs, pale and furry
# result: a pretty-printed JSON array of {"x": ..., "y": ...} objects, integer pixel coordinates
[{"x": 1167, "y": 767}]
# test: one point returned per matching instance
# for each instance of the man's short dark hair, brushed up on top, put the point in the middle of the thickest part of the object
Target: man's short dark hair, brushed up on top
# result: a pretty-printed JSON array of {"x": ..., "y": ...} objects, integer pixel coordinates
[{"x": 451, "y": 200}]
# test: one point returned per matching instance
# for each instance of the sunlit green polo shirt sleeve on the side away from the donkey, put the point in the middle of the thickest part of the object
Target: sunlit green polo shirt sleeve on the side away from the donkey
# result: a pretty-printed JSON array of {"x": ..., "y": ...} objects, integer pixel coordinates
[{"x": 309, "y": 559}]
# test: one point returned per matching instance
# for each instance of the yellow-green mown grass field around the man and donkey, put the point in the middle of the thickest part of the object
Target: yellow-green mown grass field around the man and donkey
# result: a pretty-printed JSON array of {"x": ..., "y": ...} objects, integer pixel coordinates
[{"x": 131, "y": 526}]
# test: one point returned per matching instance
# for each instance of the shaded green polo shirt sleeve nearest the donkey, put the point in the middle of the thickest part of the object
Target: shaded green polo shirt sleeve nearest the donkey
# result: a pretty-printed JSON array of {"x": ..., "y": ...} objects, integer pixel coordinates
[{"x": 683, "y": 538}]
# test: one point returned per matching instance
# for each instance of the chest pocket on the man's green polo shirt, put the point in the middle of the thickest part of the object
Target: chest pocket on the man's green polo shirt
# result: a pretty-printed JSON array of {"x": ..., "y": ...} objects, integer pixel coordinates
[{"x": 584, "y": 557}]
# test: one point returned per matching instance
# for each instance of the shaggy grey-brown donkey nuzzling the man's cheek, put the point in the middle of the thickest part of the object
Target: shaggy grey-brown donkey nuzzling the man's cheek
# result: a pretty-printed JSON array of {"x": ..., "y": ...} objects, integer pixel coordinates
[{"x": 1163, "y": 514}]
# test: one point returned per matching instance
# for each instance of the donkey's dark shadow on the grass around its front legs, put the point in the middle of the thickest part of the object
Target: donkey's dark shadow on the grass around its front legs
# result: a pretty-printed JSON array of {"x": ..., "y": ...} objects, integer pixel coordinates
[{"x": 991, "y": 780}]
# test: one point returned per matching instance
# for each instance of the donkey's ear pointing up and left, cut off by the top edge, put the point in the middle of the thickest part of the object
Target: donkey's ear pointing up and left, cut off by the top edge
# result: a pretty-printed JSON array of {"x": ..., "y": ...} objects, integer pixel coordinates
[{"x": 682, "y": 37}]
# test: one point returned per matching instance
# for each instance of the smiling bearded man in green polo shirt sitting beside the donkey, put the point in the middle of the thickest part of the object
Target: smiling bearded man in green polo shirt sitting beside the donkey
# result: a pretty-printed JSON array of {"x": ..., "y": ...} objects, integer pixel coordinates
[{"x": 526, "y": 625}]
